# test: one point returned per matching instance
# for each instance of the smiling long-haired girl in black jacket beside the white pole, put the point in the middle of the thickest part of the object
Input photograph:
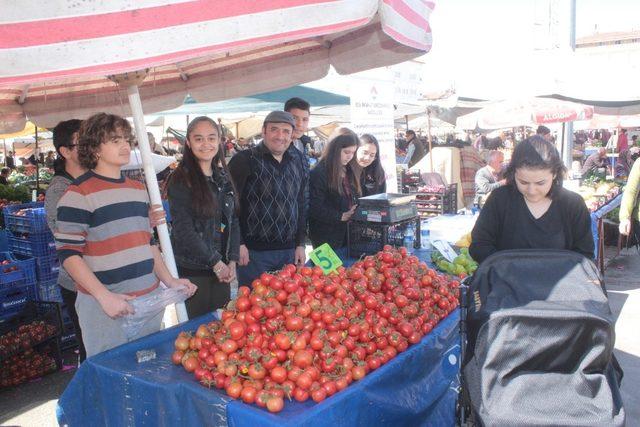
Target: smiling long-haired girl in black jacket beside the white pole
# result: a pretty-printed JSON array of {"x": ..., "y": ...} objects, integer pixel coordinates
[{"x": 205, "y": 228}]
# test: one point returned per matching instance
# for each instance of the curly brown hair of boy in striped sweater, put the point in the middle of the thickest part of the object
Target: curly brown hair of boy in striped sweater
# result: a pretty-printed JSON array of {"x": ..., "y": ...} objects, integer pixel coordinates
[{"x": 96, "y": 130}]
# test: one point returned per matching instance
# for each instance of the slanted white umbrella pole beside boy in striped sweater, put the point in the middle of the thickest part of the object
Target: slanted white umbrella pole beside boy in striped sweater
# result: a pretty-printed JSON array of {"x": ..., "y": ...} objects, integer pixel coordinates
[{"x": 152, "y": 187}]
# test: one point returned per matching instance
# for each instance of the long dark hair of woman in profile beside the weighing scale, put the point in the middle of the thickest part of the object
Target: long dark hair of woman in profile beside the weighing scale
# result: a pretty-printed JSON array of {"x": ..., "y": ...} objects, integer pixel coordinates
[{"x": 331, "y": 158}]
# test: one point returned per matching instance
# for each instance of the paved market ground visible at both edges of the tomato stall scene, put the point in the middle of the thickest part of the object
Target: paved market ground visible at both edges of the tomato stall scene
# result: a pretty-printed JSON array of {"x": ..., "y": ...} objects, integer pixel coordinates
[{"x": 34, "y": 404}]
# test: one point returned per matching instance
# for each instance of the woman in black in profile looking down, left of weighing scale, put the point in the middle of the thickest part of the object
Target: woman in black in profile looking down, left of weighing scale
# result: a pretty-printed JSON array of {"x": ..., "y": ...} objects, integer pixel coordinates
[{"x": 334, "y": 188}]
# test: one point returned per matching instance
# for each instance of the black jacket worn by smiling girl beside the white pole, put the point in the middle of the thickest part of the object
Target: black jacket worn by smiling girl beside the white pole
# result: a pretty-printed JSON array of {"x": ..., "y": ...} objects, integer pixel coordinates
[{"x": 200, "y": 243}]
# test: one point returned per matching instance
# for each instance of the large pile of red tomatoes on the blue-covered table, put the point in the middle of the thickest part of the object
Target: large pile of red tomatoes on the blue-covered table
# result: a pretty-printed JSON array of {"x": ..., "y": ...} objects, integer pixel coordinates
[{"x": 300, "y": 334}]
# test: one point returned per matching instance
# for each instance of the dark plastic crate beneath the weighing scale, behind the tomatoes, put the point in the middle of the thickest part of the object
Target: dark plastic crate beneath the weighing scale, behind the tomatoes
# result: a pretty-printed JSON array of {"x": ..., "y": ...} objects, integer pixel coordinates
[{"x": 367, "y": 238}]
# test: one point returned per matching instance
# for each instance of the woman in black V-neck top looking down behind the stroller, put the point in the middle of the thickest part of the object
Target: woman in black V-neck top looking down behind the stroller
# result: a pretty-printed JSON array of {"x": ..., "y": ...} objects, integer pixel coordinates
[{"x": 533, "y": 211}]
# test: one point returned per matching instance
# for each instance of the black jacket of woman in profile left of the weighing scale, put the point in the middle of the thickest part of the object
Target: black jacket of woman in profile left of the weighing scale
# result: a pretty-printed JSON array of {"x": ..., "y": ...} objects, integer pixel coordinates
[{"x": 326, "y": 207}]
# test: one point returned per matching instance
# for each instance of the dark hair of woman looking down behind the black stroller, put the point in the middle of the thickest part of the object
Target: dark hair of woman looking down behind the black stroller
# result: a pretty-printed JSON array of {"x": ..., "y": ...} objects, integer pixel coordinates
[{"x": 536, "y": 152}]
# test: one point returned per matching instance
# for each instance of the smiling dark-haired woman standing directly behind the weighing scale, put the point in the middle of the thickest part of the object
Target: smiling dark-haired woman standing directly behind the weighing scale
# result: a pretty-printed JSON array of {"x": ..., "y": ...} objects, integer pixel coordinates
[{"x": 372, "y": 177}]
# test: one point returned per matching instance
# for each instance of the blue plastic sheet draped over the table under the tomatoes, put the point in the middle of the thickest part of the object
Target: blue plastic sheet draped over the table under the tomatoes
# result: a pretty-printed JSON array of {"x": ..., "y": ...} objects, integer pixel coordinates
[{"x": 418, "y": 387}]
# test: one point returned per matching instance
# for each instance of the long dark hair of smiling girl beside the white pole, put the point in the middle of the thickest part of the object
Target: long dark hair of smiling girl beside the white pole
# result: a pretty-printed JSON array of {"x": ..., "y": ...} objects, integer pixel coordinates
[{"x": 190, "y": 174}]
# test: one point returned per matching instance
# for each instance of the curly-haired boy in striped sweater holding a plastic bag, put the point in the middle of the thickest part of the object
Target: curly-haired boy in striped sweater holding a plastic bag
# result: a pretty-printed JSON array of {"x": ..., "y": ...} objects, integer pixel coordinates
[{"x": 103, "y": 237}]
